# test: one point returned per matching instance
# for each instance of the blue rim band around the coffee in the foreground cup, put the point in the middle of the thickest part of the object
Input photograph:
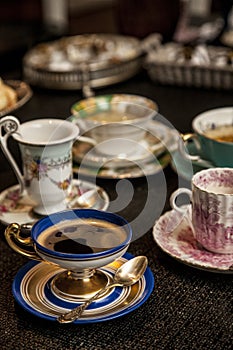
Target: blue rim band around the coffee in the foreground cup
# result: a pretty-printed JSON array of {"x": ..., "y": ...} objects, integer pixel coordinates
[{"x": 73, "y": 214}]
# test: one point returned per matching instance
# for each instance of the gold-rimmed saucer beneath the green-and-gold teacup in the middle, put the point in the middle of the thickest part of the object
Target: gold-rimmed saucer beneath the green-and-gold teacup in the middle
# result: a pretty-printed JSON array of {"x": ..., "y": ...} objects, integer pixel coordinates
[{"x": 143, "y": 162}]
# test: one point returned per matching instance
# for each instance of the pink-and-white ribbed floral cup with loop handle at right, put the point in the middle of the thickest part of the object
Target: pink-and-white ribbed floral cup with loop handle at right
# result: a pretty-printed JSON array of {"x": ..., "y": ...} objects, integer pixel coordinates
[{"x": 212, "y": 208}]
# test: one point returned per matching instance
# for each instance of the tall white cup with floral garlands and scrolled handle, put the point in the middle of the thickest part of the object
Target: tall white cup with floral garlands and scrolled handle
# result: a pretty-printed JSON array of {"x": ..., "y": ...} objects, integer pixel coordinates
[{"x": 46, "y": 152}]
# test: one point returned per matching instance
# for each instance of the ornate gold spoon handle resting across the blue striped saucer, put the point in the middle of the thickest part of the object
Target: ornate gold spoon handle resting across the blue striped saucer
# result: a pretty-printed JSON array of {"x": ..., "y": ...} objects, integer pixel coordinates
[{"x": 75, "y": 313}]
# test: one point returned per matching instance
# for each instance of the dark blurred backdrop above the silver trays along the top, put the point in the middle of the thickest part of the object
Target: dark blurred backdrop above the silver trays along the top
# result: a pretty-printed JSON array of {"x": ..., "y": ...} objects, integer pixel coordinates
[{"x": 25, "y": 23}]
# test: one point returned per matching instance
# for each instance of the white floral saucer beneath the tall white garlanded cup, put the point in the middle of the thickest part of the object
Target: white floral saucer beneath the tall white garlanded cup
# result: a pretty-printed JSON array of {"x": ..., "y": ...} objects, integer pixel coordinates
[{"x": 14, "y": 208}]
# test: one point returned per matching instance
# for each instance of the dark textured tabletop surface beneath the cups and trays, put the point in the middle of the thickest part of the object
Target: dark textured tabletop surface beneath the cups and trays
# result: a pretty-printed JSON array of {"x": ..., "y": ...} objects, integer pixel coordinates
[{"x": 188, "y": 308}]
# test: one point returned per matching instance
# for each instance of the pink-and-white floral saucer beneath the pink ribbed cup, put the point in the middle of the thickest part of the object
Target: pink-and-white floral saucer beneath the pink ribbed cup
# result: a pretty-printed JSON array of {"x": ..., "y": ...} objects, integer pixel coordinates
[{"x": 174, "y": 236}]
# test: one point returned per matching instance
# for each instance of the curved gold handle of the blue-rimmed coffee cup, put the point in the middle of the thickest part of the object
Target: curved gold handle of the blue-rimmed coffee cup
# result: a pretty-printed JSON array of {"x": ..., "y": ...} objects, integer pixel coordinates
[{"x": 19, "y": 243}]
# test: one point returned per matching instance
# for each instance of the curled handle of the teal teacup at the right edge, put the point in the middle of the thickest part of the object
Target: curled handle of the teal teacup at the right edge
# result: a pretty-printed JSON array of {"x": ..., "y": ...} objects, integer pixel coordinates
[{"x": 182, "y": 143}]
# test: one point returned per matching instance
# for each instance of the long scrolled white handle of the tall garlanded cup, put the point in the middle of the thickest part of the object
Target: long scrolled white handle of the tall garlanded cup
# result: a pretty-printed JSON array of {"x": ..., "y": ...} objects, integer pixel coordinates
[{"x": 10, "y": 125}]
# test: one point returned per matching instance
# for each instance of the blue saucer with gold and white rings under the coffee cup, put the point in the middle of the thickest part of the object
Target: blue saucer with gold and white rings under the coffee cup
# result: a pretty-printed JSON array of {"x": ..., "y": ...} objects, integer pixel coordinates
[{"x": 110, "y": 307}]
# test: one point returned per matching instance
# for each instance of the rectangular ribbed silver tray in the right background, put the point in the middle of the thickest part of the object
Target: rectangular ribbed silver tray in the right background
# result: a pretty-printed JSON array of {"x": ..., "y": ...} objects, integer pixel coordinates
[{"x": 210, "y": 74}]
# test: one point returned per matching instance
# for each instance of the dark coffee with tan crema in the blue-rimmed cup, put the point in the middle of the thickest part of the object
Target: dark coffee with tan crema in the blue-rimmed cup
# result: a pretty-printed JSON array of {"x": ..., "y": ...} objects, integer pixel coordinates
[{"x": 82, "y": 236}]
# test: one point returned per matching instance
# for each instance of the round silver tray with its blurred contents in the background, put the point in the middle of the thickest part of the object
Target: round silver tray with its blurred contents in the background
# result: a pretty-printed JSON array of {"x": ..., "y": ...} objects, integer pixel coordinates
[{"x": 83, "y": 62}]
